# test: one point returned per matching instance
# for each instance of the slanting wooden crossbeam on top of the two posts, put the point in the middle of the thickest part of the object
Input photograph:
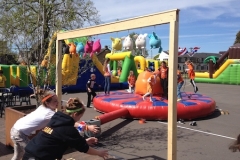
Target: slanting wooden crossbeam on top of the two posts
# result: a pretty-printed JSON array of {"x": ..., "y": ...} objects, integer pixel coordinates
[{"x": 137, "y": 22}]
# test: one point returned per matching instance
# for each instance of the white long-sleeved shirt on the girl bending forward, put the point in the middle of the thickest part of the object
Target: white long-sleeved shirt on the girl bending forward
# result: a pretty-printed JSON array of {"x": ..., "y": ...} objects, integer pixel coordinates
[{"x": 36, "y": 120}]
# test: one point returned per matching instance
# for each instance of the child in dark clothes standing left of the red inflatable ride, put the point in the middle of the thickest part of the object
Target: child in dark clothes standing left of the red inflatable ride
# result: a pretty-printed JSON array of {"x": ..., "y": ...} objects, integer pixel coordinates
[{"x": 90, "y": 89}]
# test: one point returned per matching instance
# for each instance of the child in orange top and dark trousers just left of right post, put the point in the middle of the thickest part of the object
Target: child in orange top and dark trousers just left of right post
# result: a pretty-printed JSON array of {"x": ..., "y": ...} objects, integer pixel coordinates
[{"x": 163, "y": 74}]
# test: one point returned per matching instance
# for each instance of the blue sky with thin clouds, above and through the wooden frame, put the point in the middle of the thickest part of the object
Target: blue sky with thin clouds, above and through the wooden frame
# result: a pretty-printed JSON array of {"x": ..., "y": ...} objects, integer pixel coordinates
[{"x": 211, "y": 25}]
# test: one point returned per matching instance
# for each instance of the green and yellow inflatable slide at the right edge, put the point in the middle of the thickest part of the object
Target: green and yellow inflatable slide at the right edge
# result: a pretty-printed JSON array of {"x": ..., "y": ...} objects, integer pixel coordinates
[{"x": 224, "y": 70}]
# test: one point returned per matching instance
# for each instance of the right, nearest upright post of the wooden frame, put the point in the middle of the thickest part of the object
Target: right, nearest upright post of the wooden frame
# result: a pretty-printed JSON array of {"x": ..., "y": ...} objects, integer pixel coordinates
[{"x": 172, "y": 90}]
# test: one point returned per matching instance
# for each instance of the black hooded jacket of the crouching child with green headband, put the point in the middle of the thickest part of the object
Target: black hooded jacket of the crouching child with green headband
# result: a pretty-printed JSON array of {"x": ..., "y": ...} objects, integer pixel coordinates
[{"x": 55, "y": 138}]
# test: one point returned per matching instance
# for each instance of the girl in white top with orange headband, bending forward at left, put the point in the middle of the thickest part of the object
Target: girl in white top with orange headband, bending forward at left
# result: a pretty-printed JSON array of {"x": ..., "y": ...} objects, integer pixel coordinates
[{"x": 34, "y": 121}]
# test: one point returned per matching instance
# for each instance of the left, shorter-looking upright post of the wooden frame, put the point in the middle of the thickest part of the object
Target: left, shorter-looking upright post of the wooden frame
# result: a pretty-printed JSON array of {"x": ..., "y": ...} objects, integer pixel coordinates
[{"x": 59, "y": 72}]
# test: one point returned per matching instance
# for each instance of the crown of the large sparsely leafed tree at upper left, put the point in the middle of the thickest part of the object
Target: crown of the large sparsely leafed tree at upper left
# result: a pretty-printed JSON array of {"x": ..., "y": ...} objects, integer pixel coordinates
[{"x": 25, "y": 23}]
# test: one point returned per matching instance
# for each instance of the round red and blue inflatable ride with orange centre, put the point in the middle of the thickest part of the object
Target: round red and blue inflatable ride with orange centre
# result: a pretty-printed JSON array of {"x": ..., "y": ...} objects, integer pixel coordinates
[{"x": 118, "y": 101}]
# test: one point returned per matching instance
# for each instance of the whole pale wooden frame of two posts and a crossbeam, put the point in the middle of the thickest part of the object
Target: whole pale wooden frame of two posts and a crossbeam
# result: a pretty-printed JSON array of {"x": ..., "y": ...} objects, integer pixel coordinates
[{"x": 168, "y": 17}]
